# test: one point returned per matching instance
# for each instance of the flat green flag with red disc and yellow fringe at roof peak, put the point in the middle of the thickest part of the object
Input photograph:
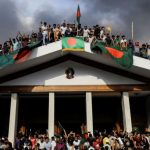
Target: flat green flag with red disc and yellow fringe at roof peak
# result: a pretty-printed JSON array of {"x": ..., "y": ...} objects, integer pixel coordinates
[{"x": 73, "y": 44}]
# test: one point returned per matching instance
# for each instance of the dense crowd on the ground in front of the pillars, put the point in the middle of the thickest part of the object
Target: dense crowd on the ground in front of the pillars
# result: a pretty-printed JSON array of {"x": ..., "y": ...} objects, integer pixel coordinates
[{"x": 75, "y": 141}]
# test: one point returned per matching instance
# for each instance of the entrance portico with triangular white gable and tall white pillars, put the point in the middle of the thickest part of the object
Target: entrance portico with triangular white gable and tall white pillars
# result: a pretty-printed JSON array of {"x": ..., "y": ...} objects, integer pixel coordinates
[{"x": 45, "y": 72}]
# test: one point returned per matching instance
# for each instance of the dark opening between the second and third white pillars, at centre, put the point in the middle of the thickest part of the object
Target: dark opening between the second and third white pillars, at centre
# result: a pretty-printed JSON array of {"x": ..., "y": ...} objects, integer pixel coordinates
[{"x": 70, "y": 111}]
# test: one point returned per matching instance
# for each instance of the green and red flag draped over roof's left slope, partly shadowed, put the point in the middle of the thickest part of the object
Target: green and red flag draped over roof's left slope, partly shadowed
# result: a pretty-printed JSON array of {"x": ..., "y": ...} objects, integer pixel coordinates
[{"x": 18, "y": 56}]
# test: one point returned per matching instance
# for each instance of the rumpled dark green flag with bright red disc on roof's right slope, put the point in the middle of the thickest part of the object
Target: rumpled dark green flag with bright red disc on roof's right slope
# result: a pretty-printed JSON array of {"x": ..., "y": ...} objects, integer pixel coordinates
[{"x": 123, "y": 57}]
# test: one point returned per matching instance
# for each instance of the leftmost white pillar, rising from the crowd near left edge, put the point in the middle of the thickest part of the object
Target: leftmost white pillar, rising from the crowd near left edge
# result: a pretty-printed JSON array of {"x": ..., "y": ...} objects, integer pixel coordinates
[{"x": 13, "y": 118}]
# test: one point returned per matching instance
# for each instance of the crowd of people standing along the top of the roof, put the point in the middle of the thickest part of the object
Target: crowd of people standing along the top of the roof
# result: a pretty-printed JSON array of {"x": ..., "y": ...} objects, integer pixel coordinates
[{"x": 51, "y": 33}]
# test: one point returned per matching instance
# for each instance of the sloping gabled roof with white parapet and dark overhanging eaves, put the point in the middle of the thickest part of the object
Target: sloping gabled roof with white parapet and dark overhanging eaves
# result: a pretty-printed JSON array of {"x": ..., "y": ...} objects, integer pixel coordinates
[{"x": 52, "y": 54}]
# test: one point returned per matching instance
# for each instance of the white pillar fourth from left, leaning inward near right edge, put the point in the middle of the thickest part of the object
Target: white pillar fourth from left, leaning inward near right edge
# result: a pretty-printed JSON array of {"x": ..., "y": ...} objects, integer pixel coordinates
[{"x": 126, "y": 112}]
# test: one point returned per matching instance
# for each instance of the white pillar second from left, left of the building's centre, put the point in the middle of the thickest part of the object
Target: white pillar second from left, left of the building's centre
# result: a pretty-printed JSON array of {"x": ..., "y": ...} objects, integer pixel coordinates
[{"x": 51, "y": 114}]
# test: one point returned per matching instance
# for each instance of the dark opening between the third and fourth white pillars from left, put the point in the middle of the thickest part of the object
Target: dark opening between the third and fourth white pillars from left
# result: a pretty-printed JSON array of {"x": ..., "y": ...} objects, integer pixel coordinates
[{"x": 107, "y": 111}]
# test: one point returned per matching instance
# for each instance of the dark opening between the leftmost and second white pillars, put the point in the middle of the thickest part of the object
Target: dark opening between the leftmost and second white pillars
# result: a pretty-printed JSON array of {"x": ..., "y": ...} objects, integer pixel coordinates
[{"x": 33, "y": 112}]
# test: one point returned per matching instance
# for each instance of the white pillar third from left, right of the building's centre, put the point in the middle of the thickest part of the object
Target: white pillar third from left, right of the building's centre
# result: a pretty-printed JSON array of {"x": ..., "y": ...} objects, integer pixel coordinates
[{"x": 89, "y": 112}]
